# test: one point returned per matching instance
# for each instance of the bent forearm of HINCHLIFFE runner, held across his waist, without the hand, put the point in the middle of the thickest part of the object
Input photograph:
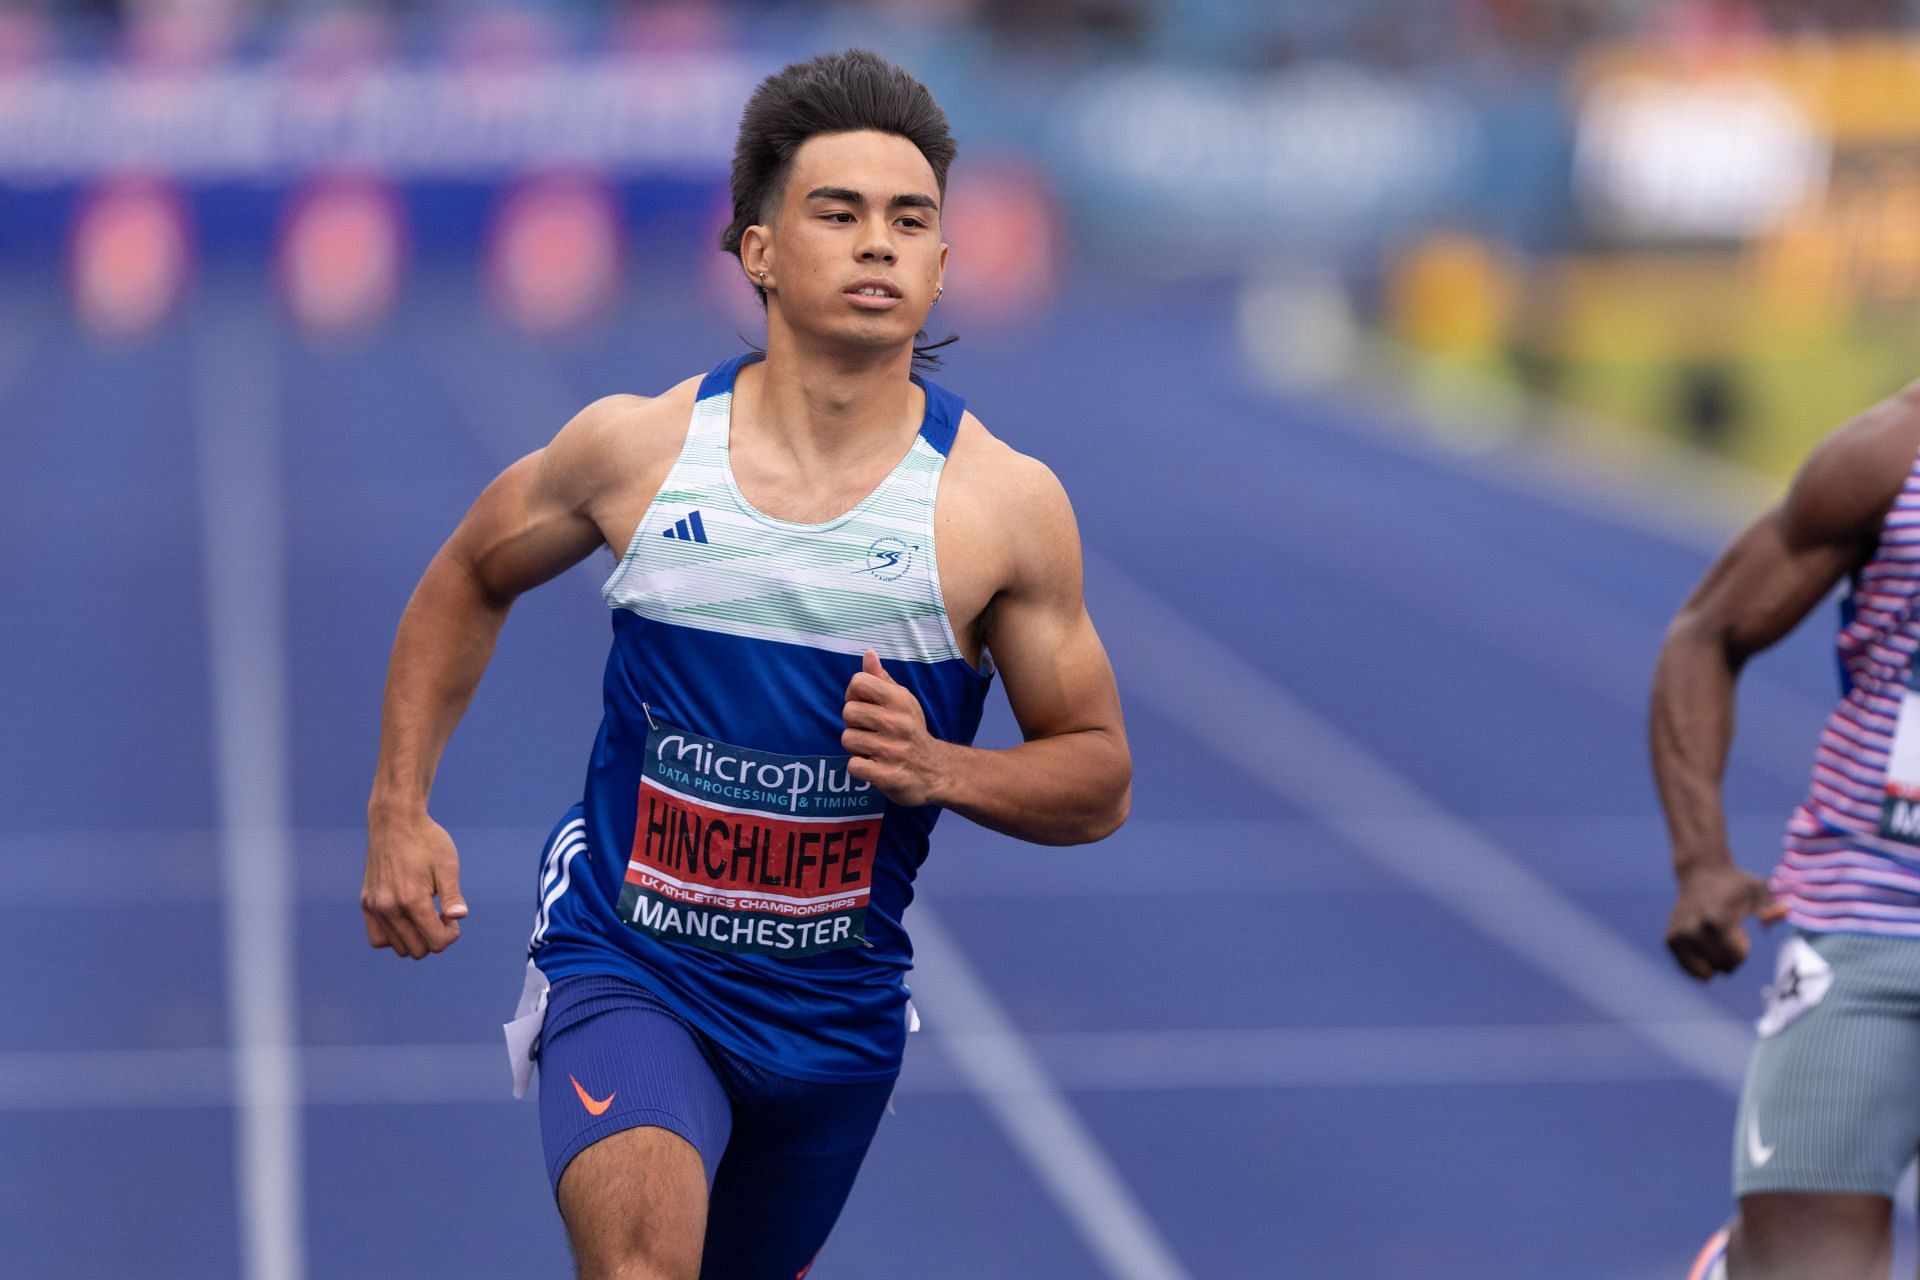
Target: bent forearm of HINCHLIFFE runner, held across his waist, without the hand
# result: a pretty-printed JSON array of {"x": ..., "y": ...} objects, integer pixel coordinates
[{"x": 1065, "y": 790}]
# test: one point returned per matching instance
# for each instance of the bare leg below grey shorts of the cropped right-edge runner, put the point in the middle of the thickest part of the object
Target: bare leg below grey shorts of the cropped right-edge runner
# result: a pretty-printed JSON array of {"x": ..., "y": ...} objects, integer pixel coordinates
[{"x": 1810, "y": 1237}]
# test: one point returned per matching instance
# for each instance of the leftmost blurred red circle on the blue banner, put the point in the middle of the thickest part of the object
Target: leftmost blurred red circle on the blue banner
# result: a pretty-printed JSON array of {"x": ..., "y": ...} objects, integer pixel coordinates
[{"x": 130, "y": 256}]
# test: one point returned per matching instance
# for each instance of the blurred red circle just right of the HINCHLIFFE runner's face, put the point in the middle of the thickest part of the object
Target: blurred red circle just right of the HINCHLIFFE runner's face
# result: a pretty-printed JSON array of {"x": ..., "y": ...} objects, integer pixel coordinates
[{"x": 1003, "y": 224}]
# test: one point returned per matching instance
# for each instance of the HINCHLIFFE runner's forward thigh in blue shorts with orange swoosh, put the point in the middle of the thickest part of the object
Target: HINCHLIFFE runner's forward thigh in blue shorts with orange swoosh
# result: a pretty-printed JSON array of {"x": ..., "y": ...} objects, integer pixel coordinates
[{"x": 633, "y": 1120}]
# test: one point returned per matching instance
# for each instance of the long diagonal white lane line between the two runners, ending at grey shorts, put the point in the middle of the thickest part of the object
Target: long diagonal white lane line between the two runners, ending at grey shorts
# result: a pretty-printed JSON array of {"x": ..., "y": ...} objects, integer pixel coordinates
[{"x": 1255, "y": 726}]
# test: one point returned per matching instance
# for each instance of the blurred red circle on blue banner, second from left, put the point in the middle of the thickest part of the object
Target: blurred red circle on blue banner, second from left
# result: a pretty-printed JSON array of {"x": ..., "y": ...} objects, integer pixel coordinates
[{"x": 341, "y": 254}]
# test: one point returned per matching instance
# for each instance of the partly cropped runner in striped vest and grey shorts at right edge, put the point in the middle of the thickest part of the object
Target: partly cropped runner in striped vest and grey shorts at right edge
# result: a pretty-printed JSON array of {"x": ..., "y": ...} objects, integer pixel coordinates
[{"x": 1831, "y": 1112}]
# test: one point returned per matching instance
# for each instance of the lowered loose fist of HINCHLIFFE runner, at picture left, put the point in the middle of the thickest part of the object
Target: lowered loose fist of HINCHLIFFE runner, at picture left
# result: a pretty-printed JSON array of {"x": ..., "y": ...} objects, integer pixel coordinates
[{"x": 408, "y": 865}]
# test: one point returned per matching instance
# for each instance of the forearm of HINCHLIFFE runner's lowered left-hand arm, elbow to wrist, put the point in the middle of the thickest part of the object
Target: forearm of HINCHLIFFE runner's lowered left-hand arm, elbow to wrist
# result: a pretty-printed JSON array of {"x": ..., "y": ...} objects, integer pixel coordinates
[{"x": 444, "y": 644}]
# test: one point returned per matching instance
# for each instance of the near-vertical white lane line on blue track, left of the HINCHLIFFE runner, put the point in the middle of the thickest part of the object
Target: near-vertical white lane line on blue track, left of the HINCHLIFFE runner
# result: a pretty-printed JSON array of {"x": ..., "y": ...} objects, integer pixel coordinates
[{"x": 241, "y": 510}]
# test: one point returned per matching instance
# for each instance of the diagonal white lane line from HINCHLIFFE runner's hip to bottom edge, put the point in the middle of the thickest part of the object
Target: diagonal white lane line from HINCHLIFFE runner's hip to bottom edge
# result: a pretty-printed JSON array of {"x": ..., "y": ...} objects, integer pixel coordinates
[{"x": 1032, "y": 1114}]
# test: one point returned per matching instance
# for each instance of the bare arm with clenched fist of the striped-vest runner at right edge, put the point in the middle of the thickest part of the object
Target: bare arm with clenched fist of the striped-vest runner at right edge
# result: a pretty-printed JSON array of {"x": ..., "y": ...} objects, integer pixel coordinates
[{"x": 1760, "y": 590}]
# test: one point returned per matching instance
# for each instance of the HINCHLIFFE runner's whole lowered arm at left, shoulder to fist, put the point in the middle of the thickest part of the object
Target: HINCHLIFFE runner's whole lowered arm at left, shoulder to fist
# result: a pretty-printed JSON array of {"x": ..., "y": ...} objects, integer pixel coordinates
[{"x": 531, "y": 525}]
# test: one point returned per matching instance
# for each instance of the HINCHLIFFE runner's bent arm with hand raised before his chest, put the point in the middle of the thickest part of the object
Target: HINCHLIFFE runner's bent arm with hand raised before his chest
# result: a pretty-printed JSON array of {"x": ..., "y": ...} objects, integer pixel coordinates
[{"x": 1072, "y": 778}]
